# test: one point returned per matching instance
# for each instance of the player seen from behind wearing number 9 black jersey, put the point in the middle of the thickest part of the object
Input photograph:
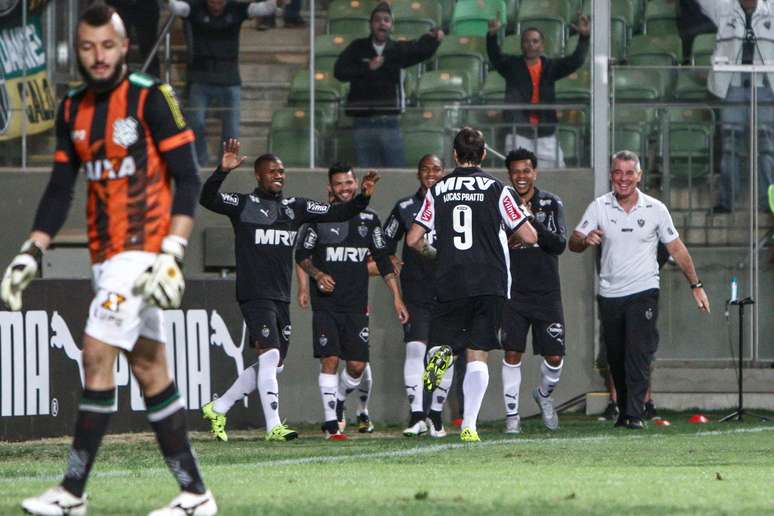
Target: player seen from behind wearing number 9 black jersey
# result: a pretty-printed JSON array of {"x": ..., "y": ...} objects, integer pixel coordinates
[{"x": 469, "y": 209}]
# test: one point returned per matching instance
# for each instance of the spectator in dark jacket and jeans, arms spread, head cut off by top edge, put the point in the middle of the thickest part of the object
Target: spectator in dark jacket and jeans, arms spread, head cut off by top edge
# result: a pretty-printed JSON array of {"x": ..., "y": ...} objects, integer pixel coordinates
[{"x": 213, "y": 69}]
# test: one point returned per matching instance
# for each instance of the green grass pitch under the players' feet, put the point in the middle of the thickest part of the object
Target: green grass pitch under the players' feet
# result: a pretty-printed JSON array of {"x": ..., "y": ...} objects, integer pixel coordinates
[{"x": 587, "y": 467}]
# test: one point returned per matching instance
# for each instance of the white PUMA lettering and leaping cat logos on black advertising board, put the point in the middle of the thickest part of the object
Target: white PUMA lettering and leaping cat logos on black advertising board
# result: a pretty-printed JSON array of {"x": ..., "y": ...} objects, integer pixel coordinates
[{"x": 26, "y": 339}]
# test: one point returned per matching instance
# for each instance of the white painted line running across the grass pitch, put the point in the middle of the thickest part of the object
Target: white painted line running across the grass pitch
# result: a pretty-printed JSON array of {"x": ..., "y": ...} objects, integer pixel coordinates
[{"x": 409, "y": 452}]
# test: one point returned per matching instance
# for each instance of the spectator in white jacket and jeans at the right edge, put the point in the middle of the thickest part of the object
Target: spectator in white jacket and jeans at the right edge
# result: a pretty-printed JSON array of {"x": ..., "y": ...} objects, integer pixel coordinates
[{"x": 745, "y": 36}]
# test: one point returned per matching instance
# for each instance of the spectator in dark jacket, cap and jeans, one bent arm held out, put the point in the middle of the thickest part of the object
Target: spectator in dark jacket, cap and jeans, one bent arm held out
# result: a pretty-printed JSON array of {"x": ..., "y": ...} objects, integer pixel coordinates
[{"x": 373, "y": 67}]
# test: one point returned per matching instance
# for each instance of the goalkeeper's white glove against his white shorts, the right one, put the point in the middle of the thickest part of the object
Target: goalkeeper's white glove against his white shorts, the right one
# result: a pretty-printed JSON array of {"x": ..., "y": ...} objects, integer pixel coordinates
[{"x": 162, "y": 284}]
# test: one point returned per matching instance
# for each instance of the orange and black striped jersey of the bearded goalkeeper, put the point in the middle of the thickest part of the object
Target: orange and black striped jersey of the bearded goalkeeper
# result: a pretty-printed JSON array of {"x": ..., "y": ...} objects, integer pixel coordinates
[{"x": 122, "y": 140}]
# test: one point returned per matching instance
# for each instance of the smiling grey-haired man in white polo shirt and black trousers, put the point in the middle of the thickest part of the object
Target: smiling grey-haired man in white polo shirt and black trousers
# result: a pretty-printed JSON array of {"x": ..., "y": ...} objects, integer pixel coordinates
[{"x": 628, "y": 225}]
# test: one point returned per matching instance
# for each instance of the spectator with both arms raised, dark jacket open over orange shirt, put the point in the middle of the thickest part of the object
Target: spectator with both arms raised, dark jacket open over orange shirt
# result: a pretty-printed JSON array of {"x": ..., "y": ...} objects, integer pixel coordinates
[{"x": 530, "y": 79}]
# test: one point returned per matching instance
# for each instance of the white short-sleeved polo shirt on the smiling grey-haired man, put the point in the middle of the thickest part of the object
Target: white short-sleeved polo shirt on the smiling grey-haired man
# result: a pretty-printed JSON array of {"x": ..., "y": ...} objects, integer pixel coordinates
[{"x": 629, "y": 243}]
